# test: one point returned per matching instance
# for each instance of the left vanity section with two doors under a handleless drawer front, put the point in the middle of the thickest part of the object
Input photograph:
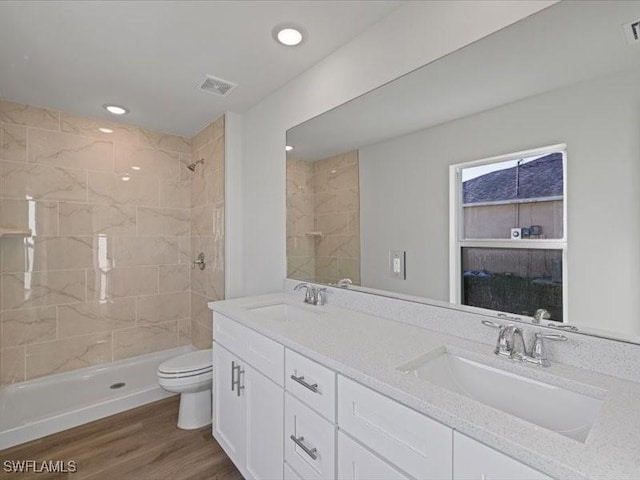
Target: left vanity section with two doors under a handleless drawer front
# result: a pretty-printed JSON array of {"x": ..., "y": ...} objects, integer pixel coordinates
[{"x": 248, "y": 408}]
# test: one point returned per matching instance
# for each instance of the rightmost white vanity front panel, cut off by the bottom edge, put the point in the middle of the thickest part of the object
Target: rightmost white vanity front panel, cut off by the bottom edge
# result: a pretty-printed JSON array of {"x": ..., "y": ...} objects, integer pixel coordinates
[{"x": 474, "y": 461}]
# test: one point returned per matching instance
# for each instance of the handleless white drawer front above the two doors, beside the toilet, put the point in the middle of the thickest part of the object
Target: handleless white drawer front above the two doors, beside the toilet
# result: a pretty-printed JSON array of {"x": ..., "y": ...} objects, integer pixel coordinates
[{"x": 260, "y": 352}]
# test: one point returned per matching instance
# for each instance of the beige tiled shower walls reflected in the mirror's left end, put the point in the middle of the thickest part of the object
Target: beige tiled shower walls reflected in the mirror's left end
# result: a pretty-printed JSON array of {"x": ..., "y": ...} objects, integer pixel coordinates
[{"x": 324, "y": 197}]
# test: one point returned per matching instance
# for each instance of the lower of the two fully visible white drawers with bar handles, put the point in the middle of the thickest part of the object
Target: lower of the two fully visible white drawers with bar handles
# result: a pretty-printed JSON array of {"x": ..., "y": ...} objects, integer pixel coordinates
[{"x": 312, "y": 453}]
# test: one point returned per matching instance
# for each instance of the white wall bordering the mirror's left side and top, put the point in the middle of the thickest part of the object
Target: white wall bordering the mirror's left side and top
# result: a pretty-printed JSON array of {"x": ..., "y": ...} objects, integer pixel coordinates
[{"x": 412, "y": 35}]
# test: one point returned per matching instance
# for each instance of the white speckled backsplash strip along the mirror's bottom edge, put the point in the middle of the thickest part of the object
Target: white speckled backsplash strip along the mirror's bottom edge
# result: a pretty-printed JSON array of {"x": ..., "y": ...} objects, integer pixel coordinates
[{"x": 611, "y": 357}]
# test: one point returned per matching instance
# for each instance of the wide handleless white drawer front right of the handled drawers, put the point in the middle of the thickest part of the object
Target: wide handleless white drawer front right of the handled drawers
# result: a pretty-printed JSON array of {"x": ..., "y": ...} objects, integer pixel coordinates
[{"x": 418, "y": 445}]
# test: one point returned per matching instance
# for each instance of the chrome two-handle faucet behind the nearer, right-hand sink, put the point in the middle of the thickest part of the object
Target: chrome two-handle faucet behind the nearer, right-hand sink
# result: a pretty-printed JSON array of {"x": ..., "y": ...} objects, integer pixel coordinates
[{"x": 511, "y": 344}]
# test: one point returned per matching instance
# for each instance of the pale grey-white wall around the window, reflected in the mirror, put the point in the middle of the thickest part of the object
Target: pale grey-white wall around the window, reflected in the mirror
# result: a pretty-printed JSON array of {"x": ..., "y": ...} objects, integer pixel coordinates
[{"x": 599, "y": 121}]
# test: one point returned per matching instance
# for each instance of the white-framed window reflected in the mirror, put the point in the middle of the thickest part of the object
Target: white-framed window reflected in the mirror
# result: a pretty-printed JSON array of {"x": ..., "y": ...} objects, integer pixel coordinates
[{"x": 508, "y": 233}]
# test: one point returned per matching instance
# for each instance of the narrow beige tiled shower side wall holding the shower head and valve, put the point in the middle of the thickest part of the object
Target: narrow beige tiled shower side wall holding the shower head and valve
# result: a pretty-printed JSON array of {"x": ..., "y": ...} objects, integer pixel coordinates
[{"x": 207, "y": 228}]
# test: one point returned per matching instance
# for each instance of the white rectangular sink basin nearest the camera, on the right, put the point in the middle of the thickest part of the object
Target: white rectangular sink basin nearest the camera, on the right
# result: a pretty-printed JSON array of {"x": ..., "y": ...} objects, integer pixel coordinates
[{"x": 555, "y": 408}]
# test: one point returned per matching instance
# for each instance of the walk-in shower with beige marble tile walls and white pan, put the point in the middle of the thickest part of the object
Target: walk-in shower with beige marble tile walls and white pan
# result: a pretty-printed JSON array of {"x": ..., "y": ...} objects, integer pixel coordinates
[{"x": 111, "y": 245}]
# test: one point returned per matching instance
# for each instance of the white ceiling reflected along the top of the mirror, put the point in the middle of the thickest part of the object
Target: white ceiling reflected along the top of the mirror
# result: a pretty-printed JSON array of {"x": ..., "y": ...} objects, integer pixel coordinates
[{"x": 559, "y": 46}]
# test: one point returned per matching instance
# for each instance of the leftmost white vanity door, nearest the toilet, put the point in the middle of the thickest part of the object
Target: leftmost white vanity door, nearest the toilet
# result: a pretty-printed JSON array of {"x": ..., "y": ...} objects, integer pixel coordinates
[{"x": 230, "y": 415}]
